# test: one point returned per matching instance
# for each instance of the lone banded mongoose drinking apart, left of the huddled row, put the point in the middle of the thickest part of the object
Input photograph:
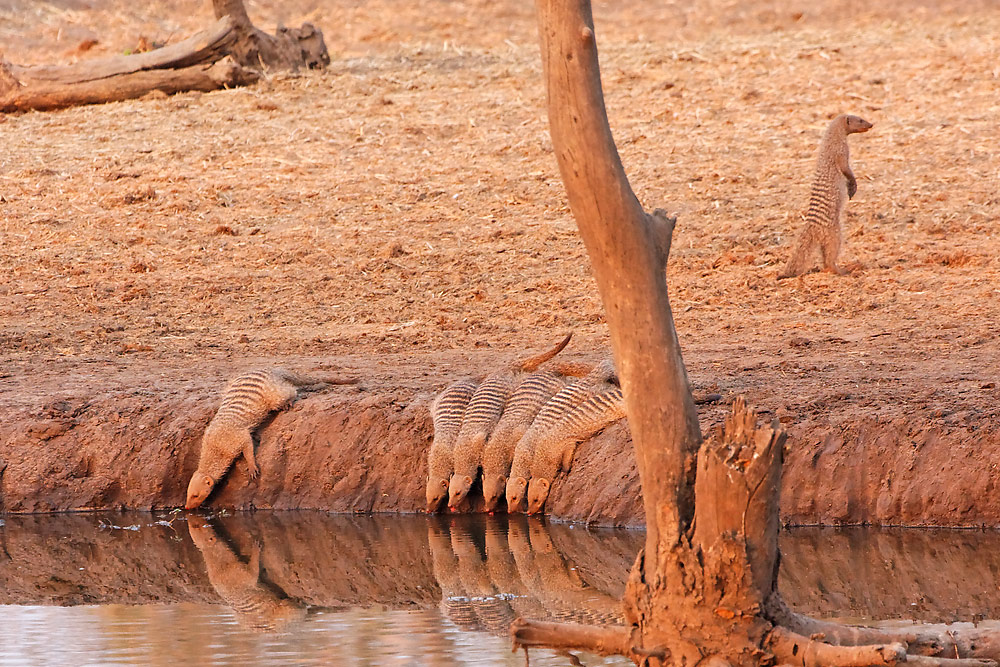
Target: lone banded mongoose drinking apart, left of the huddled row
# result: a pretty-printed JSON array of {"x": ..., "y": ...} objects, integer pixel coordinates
[{"x": 248, "y": 400}]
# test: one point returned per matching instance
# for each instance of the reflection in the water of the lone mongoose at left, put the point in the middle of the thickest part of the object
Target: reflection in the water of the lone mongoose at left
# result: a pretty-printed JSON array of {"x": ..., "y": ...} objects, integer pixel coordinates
[{"x": 259, "y": 605}]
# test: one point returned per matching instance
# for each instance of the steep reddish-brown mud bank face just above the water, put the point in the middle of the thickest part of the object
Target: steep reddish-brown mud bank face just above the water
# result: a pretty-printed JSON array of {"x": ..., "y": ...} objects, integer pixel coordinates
[{"x": 349, "y": 450}]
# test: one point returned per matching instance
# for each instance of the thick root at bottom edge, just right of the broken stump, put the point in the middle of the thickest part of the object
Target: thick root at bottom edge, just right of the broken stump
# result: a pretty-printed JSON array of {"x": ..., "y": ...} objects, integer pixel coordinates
[{"x": 794, "y": 649}]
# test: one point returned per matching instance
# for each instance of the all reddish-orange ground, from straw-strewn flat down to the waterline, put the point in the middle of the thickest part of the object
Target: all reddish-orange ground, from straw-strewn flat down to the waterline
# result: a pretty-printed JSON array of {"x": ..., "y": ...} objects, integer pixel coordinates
[{"x": 400, "y": 216}]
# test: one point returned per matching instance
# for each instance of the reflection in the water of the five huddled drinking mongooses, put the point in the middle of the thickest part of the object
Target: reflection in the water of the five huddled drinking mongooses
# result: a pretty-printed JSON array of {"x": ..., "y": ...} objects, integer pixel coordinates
[{"x": 490, "y": 572}]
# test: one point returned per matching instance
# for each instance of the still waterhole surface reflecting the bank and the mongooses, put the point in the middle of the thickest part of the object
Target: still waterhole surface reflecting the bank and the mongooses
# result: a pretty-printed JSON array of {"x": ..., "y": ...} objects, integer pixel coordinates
[{"x": 302, "y": 588}]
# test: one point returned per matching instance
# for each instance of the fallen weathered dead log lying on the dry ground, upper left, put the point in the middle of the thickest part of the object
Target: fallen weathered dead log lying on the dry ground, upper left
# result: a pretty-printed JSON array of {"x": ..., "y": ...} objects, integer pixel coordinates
[{"x": 230, "y": 53}]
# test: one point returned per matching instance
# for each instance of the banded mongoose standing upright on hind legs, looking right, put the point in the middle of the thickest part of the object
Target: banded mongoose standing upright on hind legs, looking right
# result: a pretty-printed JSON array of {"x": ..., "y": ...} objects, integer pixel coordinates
[{"x": 833, "y": 185}]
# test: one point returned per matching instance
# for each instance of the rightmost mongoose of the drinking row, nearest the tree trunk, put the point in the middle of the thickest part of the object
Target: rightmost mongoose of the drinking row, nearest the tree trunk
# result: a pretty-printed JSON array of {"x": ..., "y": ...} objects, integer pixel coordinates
[{"x": 555, "y": 444}]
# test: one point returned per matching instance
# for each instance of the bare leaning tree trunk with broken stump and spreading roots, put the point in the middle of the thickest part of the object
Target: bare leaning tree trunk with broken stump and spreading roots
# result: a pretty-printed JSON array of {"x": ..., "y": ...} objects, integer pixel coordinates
[{"x": 703, "y": 591}]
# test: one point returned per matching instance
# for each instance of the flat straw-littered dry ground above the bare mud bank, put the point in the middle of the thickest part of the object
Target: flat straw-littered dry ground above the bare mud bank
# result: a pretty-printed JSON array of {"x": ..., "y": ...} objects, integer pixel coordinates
[{"x": 406, "y": 200}]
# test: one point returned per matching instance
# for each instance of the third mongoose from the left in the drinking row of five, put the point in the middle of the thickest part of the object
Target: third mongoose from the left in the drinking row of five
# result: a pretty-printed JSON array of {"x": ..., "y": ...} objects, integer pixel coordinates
[{"x": 528, "y": 398}]
